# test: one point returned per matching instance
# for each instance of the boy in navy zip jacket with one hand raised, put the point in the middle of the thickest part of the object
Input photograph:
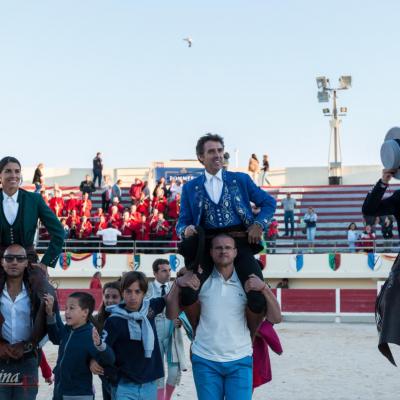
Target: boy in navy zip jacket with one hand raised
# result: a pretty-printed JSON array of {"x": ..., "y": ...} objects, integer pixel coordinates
[{"x": 79, "y": 342}]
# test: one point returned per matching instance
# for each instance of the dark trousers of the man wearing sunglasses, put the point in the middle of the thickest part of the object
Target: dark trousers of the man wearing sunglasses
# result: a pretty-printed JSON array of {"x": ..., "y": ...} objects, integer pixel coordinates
[{"x": 22, "y": 375}]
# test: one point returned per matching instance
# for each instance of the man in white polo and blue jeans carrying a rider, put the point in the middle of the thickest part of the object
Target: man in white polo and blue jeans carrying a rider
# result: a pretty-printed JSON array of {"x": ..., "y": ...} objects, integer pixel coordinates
[{"x": 222, "y": 349}]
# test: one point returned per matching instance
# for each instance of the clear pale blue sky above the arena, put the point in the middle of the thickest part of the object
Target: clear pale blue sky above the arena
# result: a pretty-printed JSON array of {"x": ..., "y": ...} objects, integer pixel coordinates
[{"x": 115, "y": 76}]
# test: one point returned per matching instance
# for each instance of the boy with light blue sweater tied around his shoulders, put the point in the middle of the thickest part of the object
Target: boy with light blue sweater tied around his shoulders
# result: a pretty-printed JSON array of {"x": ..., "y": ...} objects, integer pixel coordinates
[{"x": 130, "y": 331}]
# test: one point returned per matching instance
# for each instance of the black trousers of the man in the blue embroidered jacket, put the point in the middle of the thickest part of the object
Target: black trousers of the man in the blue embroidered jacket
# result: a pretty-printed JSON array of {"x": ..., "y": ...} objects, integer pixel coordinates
[{"x": 245, "y": 265}]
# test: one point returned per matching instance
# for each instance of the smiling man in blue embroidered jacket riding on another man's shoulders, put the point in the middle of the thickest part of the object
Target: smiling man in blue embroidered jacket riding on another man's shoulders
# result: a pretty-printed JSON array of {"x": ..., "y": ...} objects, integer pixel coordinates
[{"x": 220, "y": 201}]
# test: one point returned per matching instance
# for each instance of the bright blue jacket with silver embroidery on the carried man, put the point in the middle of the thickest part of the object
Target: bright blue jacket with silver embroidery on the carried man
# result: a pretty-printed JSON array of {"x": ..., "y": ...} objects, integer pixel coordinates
[{"x": 242, "y": 191}]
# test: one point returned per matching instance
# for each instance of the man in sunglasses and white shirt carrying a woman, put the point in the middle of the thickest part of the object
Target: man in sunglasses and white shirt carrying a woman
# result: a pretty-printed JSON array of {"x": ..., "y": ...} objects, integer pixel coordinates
[{"x": 19, "y": 307}]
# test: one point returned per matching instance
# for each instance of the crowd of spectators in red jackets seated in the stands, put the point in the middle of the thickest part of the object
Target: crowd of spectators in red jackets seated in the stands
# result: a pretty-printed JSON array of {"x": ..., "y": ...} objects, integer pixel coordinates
[{"x": 145, "y": 216}]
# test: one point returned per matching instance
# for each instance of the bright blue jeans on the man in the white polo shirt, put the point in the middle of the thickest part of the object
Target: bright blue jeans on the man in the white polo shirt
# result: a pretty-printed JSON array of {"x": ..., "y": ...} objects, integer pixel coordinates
[{"x": 231, "y": 380}]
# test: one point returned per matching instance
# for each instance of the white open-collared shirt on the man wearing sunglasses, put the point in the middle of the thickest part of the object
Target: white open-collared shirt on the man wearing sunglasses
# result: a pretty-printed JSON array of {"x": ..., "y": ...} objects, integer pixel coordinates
[{"x": 17, "y": 324}]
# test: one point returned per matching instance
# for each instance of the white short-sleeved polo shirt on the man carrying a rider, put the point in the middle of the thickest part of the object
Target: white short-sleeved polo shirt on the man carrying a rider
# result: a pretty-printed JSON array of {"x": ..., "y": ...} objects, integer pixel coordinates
[{"x": 222, "y": 334}]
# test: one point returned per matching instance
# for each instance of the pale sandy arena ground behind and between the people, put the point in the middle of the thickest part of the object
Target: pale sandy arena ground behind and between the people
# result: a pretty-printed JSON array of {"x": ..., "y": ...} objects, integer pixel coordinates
[{"x": 321, "y": 361}]
